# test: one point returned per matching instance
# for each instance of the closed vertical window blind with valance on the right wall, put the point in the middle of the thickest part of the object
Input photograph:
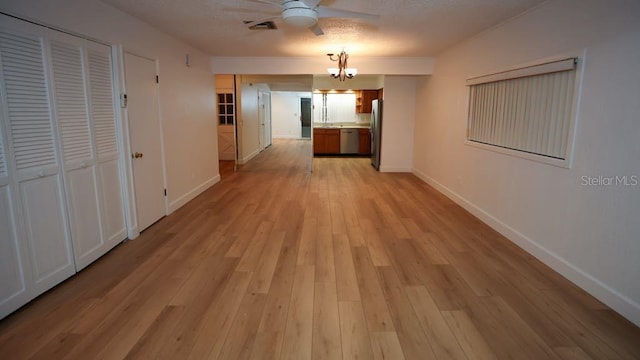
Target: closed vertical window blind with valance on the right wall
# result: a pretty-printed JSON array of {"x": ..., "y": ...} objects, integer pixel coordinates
[{"x": 528, "y": 109}]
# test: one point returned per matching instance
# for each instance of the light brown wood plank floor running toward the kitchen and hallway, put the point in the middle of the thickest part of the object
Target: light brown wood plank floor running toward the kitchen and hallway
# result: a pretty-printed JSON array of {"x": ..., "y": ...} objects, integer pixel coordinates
[{"x": 346, "y": 263}]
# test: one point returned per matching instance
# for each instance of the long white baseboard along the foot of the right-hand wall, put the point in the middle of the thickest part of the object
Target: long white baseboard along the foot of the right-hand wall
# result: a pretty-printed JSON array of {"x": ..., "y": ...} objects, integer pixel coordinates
[{"x": 617, "y": 301}]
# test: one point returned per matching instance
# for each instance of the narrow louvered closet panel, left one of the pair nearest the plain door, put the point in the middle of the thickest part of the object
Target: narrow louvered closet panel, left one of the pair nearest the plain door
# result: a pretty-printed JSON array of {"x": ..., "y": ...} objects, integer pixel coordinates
[{"x": 67, "y": 60}]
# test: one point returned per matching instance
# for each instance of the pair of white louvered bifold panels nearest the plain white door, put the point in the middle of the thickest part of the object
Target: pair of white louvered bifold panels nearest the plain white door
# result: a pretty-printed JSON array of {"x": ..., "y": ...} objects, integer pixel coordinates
[{"x": 87, "y": 125}]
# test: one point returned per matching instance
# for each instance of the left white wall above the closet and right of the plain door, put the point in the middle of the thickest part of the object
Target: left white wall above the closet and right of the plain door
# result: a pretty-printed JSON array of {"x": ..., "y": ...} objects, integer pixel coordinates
[{"x": 187, "y": 94}]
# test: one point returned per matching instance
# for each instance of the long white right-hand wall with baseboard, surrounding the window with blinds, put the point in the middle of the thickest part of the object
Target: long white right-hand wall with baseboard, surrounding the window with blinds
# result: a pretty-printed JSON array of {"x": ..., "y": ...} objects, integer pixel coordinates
[{"x": 590, "y": 234}]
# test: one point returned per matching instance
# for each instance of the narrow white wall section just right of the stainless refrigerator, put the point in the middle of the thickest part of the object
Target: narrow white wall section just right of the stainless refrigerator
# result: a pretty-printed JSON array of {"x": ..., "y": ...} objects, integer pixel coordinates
[{"x": 398, "y": 115}]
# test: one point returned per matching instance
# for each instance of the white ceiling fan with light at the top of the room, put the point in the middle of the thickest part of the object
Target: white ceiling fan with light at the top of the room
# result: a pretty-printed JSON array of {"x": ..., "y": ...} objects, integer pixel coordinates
[{"x": 305, "y": 13}]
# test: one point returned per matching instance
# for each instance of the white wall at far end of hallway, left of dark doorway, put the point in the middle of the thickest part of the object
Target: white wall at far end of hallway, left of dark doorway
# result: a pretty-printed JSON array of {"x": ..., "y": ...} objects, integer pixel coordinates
[{"x": 285, "y": 114}]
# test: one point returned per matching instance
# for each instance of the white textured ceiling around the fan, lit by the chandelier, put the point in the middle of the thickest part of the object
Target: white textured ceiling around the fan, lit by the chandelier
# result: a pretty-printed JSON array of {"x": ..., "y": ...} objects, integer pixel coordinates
[{"x": 406, "y": 28}]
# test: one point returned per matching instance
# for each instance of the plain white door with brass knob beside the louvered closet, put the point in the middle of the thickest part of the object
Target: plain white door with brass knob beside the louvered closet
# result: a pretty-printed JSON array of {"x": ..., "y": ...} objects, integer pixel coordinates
[{"x": 146, "y": 139}]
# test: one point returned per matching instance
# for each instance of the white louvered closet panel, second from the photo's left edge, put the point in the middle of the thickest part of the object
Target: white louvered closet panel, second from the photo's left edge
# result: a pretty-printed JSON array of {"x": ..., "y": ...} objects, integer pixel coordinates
[{"x": 34, "y": 163}]
